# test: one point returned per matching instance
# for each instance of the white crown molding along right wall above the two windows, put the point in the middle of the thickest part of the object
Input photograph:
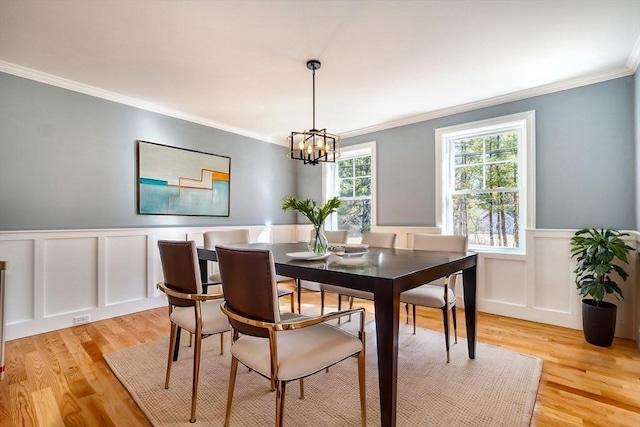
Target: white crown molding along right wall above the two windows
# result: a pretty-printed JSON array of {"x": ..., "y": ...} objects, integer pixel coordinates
[{"x": 498, "y": 100}]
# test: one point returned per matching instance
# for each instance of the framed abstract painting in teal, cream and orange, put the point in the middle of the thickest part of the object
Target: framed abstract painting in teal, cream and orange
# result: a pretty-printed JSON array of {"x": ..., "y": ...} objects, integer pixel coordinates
[{"x": 178, "y": 181}]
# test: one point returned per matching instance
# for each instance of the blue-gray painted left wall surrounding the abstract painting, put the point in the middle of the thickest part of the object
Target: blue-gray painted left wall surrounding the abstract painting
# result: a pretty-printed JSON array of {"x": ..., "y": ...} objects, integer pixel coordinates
[{"x": 67, "y": 161}]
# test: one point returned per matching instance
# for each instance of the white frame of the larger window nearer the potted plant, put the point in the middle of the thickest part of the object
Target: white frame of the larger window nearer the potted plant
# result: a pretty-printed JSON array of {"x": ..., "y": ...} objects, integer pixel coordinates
[{"x": 525, "y": 125}]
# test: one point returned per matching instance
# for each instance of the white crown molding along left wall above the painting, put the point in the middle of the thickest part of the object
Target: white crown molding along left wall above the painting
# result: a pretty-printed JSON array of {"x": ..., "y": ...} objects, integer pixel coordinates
[{"x": 28, "y": 73}]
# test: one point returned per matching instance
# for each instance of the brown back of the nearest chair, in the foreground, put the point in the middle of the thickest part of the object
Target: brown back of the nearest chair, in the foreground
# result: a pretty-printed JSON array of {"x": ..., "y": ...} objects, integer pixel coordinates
[{"x": 249, "y": 286}]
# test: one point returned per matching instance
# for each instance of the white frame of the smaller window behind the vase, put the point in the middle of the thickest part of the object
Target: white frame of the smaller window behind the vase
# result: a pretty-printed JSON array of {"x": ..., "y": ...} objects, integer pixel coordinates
[{"x": 330, "y": 182}]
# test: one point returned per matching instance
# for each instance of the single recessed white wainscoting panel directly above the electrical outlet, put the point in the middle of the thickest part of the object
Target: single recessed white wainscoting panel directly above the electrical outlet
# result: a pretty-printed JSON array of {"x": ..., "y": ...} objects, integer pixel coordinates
[{"x": 70, "y": 275}]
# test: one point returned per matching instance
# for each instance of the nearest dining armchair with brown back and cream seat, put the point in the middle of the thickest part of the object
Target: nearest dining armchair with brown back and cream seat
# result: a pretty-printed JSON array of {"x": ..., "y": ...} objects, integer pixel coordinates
[{"x": 281, "y": 351}]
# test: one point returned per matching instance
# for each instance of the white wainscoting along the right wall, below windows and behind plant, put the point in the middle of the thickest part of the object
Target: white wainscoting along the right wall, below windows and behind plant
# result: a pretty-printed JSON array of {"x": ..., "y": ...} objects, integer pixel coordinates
[{"x": 539, "y": 285}]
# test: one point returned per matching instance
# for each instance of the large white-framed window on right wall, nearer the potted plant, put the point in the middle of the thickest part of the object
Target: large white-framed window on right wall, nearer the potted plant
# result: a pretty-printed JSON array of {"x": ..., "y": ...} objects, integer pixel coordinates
[{"x": 486, "y": 181}]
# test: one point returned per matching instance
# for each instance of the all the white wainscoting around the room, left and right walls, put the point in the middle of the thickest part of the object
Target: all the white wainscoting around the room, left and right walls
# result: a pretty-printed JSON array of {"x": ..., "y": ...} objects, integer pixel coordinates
[{"x": 54, "y": 276}]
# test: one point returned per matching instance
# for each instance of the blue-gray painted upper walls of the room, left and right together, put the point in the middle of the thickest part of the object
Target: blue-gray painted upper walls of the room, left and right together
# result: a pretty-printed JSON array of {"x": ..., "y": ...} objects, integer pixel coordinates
[{"x": 67, "y": 161}]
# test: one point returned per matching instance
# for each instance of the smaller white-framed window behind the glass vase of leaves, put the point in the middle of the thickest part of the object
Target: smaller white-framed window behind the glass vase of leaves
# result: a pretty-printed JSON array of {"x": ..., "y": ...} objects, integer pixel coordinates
[{"x": 352, "y": 179}]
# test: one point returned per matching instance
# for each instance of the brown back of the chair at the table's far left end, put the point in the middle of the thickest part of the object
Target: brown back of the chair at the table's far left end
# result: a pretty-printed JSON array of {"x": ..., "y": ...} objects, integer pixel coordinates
[{"x": 180, "y": 268}]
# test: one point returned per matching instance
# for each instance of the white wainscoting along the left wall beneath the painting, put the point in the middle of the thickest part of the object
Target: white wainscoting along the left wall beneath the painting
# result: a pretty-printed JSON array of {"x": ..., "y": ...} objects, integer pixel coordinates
[{"x": 55, "y": 276}]
